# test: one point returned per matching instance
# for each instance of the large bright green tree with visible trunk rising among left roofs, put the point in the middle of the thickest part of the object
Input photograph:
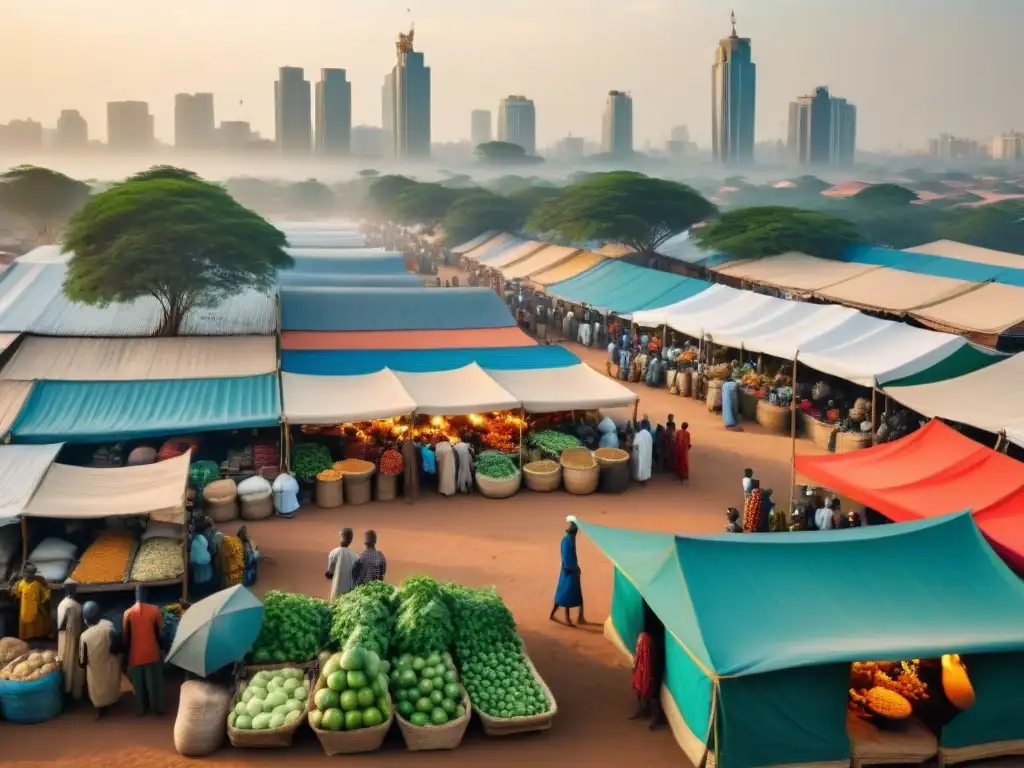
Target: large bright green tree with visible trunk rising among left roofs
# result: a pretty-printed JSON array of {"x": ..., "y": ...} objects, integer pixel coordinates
[{"x": 188, "y": 244}]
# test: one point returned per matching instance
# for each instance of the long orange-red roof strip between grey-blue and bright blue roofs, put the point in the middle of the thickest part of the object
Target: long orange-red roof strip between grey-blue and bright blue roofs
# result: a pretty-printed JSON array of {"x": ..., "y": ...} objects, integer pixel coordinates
[{"x": 479, "y": 338}]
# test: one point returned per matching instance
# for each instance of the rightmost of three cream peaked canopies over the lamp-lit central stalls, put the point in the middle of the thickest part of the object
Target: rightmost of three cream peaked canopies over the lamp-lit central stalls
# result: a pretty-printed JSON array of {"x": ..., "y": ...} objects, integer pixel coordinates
[{"x": 575, "y": 389}]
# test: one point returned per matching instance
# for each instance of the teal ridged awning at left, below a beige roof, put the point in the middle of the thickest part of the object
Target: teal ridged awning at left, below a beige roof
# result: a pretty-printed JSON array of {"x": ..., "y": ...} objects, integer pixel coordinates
[{"x": 101, "y": 411}]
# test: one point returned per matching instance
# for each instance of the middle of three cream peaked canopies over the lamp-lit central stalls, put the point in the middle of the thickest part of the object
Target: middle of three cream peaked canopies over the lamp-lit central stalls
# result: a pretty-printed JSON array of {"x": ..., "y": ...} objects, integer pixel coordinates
[{"x": 459, "y": 393}]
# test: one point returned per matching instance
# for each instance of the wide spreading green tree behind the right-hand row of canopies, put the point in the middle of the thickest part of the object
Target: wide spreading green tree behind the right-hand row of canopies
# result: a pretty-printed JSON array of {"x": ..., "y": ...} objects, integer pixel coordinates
[{"x": 623, "y": 207}]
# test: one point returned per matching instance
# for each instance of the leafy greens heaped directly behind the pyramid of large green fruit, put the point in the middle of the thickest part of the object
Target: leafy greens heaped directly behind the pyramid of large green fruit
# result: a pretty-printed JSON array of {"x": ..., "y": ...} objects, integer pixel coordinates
[{"x": 365, "y": 617}]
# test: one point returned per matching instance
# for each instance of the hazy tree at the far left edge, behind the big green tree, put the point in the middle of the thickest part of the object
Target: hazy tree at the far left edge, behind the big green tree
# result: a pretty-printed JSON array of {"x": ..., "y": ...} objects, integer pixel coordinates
[{"x": 41, "y": 199}]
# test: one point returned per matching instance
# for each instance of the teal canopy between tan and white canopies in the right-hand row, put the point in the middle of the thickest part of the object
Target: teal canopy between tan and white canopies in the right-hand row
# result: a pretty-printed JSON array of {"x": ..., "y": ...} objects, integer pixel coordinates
[{"x": 626, "y": 288}]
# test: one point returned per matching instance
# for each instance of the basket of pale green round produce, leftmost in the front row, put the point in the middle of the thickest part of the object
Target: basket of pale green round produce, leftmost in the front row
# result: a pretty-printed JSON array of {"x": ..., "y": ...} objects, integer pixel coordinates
[{"x": 269, "y": 708}]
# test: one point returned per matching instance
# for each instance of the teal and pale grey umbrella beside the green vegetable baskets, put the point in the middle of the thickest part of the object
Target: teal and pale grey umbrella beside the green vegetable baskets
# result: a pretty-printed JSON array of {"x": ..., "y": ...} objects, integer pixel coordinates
[{"x": 218, "y": 631}]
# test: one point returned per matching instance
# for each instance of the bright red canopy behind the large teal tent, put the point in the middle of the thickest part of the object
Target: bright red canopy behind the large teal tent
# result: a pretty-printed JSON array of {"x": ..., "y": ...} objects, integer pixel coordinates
[{"x": 932, "y": 473}]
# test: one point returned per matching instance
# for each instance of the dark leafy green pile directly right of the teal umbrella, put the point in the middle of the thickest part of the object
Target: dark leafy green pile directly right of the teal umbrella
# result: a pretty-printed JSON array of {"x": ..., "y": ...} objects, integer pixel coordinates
[{"x": 295, "y": 629}]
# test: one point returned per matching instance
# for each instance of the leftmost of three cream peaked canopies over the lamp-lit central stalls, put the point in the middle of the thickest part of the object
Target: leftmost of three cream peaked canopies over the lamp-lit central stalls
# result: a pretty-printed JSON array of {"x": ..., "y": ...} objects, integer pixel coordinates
[{"x": 340, "y": 400}]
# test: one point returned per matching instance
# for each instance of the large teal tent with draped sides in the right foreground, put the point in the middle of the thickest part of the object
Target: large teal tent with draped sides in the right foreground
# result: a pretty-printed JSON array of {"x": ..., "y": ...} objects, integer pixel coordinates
[{"x": 761, "y": 629}]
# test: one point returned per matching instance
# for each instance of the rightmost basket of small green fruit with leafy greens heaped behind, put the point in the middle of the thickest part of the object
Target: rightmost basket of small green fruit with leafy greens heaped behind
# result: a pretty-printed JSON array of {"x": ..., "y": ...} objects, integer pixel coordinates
[{"x": 495, "y": 672}]
